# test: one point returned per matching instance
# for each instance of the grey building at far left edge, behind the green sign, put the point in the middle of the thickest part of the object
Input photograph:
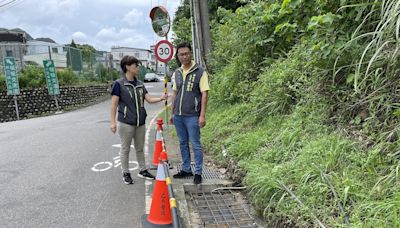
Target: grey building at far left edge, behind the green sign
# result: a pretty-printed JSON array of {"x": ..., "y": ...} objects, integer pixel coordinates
[{"x": 12, "y": 44}]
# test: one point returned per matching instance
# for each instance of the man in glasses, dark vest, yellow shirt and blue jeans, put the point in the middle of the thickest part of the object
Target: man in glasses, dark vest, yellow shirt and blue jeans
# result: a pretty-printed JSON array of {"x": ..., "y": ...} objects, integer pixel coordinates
[{"x": 189, "y": 102}]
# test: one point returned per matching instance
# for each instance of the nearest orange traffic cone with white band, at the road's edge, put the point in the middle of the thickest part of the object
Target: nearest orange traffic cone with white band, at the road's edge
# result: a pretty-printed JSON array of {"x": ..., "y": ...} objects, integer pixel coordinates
[{"x": 160, "y": 211}]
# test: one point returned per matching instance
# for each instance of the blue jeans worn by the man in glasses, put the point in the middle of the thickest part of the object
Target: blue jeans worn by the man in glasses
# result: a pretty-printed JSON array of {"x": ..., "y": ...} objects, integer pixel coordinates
[{"x": 187, "y": 128}]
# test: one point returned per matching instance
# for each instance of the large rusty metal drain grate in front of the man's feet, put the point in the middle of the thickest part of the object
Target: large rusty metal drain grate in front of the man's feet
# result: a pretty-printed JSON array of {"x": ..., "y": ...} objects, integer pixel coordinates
[{"x": 221, "y": 209}]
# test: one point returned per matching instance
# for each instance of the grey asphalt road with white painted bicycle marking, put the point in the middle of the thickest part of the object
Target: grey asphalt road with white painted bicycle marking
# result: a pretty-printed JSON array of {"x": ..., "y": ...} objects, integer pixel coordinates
[{"x": 48, "y": 176}]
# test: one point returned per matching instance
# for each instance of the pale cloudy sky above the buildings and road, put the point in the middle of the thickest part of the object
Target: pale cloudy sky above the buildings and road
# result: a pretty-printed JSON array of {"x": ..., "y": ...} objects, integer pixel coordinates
[{"x": 100, "y": 23}]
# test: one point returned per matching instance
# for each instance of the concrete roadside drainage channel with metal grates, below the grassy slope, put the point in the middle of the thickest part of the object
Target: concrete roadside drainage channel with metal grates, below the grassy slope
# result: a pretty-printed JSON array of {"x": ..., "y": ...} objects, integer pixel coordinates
[{"x": 214, "y": 203}]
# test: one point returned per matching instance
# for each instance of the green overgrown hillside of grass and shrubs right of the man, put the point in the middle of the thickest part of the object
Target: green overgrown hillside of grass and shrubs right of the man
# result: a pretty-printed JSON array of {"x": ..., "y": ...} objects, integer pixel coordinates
[{"x": 305, "y": 100}]
